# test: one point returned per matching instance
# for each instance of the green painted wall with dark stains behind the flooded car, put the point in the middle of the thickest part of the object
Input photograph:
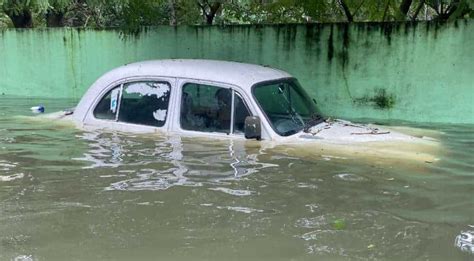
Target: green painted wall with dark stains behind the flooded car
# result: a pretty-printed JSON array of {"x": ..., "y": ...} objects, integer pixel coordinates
[{"x": 420, "y": 72}]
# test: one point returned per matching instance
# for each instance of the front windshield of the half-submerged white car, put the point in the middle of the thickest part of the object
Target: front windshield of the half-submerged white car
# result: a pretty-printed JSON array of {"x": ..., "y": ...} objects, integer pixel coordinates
[{"x": 287, "y": 106}]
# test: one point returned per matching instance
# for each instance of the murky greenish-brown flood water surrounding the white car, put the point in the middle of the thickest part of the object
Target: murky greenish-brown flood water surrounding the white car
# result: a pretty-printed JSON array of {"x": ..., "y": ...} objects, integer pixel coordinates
[{"x": 67, "y": 194}]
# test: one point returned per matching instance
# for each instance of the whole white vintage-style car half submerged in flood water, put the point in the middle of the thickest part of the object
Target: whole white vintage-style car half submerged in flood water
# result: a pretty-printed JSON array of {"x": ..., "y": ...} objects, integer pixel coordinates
[{"x": 226, "y": 99}]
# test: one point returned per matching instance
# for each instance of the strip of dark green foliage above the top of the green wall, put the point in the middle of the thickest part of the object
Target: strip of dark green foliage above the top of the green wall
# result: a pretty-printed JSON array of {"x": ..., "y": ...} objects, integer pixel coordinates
[{"x": 136, "y": 13}]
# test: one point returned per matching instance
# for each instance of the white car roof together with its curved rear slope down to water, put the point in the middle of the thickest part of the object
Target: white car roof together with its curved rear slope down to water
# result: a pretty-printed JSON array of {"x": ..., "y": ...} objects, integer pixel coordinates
[{"x": 234, "y": 73}]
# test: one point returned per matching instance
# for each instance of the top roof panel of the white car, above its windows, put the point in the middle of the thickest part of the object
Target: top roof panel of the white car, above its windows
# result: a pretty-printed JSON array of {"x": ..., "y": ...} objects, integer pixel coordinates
[{"x": 235, "y": 73}]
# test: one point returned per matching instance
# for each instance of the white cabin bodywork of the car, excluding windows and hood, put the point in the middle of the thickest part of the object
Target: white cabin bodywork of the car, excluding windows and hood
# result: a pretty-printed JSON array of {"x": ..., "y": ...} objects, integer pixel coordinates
[{"x": 238, "y": 76}]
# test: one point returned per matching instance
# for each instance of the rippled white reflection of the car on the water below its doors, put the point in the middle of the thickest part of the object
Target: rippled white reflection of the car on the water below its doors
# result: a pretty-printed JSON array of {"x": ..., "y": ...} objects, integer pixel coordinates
[{"x": 161, "y": 162}]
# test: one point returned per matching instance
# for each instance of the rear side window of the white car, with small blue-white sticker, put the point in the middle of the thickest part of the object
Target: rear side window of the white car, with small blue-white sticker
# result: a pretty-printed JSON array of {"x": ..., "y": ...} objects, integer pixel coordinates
[{"x": 137, "y": 105}]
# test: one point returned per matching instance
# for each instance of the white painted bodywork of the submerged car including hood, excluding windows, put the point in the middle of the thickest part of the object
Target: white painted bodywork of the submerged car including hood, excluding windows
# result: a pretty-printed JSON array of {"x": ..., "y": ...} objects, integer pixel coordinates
[{"x": 240, "y": 78}]
